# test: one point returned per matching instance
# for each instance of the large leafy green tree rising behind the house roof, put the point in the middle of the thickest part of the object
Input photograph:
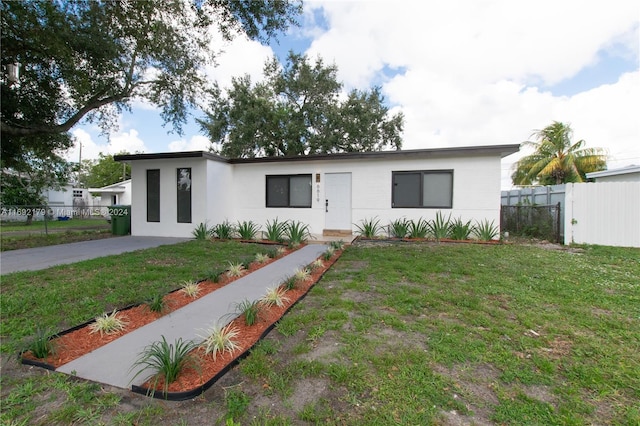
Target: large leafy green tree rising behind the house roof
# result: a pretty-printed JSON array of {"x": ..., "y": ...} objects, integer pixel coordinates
[{"x": 297, "y": 110}]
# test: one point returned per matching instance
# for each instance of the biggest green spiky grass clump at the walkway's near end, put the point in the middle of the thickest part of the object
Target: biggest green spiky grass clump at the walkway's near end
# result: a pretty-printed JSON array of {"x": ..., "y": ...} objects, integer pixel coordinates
[{"x": 166, "y": 360}]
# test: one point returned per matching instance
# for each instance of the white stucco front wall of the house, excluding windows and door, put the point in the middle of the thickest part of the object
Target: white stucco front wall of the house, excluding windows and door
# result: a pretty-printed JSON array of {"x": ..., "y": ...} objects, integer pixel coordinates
[{"x": 237, "y": 192}]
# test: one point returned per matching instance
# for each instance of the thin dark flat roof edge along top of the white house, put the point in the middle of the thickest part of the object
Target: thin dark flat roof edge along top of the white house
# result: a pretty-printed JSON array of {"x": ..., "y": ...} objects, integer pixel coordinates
[{"x": 502, "y": 150}]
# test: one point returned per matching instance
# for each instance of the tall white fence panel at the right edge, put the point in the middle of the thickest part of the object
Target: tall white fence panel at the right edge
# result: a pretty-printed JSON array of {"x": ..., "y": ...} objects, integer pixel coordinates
[{"x": 605, "y": 213}]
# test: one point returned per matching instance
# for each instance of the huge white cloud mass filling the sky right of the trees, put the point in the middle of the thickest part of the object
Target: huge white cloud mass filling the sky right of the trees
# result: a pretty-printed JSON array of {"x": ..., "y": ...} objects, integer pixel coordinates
[{"x": 473, "y": 70}]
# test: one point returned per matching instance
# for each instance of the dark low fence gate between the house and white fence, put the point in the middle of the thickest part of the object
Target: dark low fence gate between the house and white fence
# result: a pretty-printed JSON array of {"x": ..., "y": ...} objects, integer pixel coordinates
[{"x": 532, "y": 221}]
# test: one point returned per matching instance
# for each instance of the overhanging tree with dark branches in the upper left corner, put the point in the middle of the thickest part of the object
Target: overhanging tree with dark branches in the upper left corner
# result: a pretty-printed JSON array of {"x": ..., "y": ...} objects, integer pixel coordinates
[{"x": 89, "y": 59}]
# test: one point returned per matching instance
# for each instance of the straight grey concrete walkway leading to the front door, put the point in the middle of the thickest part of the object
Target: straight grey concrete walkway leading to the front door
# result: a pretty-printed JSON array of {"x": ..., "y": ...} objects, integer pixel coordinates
[{"x": 112, "y": 363}]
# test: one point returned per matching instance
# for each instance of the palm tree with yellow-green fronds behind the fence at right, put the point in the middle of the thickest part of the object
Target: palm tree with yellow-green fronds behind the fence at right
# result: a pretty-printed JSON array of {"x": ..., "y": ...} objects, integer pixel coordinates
[{"x": 556, "y": 159}]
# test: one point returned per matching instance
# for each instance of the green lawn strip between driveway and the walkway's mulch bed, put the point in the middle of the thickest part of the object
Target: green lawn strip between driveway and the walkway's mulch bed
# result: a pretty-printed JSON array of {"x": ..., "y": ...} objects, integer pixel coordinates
[{"x": 62, "y": 297}]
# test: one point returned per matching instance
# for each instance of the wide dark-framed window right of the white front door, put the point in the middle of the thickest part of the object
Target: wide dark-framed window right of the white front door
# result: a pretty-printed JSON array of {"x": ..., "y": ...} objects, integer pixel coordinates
[{"x": 422, "y": 189}]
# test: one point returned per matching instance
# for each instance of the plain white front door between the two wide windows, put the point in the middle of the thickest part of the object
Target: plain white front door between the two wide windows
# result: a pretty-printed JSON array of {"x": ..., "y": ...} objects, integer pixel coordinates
[{"x": 337, "y": 188}]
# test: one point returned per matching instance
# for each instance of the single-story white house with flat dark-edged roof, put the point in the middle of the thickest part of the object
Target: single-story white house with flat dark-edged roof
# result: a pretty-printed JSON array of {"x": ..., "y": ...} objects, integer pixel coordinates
[{"x": 331, "y": 193}]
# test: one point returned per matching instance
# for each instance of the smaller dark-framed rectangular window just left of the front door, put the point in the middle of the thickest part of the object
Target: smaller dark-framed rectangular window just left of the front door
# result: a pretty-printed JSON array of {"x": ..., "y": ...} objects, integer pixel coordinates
[{"x": 288, "y": 191}]
